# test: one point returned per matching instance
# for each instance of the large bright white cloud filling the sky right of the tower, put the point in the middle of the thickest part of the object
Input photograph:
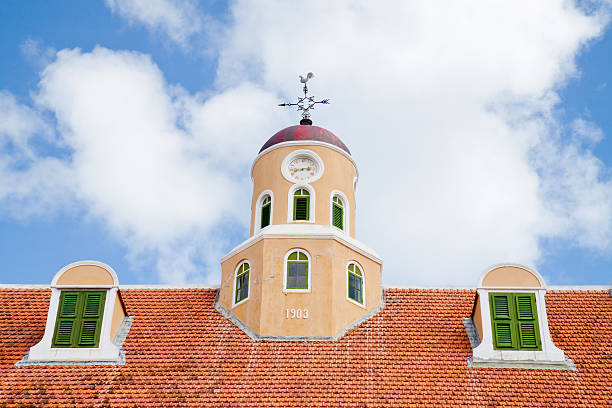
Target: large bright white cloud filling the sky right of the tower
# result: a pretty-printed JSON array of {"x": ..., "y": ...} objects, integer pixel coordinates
[{"x": 449, "y": 111}]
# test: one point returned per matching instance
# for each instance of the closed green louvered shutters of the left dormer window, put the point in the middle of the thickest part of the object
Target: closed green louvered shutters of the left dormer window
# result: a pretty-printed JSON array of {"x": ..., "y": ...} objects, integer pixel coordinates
[{"x": 79, "y": 319}]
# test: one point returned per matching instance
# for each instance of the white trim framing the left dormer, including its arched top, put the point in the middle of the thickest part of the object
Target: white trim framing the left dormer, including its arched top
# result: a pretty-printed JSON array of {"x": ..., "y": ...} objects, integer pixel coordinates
[{"x": 106, "y": 350}]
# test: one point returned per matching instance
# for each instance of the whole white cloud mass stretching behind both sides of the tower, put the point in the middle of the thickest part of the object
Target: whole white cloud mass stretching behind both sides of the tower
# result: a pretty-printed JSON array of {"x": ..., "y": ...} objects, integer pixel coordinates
[{"x": 449, "y": 111}]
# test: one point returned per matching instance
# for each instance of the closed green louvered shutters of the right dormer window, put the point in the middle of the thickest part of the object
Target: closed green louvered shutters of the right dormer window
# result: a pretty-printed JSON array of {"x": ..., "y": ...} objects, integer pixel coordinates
[{"x": 514, "y": 318}]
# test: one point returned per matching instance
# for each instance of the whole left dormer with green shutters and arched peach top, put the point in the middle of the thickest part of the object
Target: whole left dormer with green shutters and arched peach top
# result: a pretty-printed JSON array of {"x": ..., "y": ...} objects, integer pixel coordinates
[{"x": 85, "y": 314}]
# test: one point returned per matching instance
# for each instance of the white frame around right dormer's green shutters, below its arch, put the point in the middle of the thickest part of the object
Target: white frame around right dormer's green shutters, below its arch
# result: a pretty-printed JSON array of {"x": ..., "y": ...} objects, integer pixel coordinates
[{"x": 485, "y": 352}]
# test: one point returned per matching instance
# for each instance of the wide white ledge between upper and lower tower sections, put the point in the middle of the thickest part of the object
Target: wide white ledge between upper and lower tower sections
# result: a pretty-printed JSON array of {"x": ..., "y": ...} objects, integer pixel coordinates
[{"x": 305, "y": 231}]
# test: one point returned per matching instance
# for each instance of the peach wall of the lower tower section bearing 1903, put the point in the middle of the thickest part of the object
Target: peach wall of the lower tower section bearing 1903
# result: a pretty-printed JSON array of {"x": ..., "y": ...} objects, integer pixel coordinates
[{"x": 329, "y": 311}]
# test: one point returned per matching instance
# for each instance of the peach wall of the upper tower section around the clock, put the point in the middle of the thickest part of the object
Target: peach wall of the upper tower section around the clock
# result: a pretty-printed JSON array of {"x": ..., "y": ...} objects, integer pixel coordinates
[{"x": 339, "y": 174}]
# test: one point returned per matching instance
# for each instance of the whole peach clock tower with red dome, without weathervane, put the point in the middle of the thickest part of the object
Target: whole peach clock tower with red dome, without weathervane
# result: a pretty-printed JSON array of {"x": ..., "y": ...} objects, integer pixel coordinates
[{"x": 301, "y": 273}]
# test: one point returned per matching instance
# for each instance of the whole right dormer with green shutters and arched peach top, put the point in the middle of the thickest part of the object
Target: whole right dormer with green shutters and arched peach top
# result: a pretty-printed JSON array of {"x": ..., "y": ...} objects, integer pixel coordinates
[{"x": 510, "y": 318}]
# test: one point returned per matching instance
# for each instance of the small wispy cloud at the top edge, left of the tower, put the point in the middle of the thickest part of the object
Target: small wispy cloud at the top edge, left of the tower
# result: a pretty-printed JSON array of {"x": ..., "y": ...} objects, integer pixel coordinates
[{"x": 179, "y": 20}]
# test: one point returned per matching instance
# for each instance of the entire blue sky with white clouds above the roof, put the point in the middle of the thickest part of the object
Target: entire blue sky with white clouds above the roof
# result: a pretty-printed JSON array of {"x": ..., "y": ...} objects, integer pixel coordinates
[{"x": 481, "y": 130}]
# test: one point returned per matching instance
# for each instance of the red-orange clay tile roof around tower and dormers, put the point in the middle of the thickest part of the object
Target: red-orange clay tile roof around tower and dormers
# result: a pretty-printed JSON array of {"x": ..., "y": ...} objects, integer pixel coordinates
[{"x": 181, "y": 352}]
